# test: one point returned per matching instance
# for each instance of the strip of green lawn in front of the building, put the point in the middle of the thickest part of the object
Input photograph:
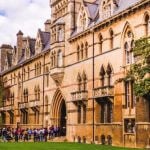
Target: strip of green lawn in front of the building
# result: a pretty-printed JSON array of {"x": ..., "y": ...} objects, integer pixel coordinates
[{"x": 55, "y": 146}]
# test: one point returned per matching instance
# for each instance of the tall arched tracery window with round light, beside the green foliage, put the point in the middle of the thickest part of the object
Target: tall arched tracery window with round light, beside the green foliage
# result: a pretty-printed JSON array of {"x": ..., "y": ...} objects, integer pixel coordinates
[{"x": 128, "y": 47}]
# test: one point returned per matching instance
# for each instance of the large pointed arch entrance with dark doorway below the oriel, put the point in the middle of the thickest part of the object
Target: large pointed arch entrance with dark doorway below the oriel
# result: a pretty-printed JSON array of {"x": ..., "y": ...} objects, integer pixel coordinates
[{"x": 58, "y": 112}]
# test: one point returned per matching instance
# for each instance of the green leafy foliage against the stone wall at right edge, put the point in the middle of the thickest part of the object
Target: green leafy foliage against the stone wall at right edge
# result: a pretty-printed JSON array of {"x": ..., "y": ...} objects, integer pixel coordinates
[{"x": 140, "y": 70}]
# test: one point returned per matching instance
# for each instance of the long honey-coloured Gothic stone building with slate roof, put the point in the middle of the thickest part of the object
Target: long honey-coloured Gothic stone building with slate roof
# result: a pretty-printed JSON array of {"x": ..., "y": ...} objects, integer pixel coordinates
[{"x": 69, "y": 75}]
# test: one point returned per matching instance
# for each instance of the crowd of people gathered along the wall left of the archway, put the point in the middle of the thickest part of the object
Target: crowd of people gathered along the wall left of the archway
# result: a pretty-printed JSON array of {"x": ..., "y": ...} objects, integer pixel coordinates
[{"x": 36, "y": 134}]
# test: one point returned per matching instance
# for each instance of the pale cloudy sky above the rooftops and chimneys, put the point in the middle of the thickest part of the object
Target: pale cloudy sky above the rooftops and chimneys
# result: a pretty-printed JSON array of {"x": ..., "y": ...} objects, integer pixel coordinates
[{"x": 25, "y": 15}]
